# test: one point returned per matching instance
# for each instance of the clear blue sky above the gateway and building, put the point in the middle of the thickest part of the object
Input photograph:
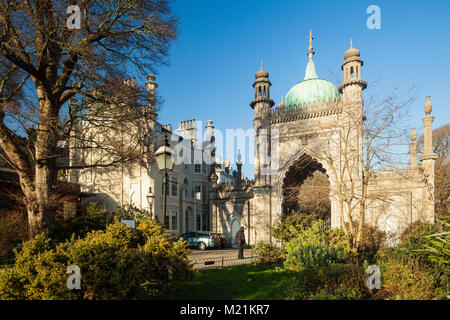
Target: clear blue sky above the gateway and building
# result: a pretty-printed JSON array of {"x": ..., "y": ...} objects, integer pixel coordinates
[{"x": 221, "y": 43}]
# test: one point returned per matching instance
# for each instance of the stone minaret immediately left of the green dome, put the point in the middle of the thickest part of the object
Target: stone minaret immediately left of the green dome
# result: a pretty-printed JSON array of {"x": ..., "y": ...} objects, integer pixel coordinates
[{"x": 262, "y": 106}]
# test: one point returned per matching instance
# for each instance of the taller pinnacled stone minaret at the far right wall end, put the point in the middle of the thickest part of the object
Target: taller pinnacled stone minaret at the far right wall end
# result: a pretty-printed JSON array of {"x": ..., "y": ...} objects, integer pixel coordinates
[{"x": 428, "y": 160}]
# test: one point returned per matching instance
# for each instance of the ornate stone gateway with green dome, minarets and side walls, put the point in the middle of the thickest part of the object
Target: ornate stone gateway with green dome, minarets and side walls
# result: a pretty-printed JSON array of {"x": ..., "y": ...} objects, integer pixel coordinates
[{"x": 319, "y": 127}]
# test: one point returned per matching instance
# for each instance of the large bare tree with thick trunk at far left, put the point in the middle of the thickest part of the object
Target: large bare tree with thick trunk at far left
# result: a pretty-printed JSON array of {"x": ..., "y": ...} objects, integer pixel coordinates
[{"x": 51, "y": 62}]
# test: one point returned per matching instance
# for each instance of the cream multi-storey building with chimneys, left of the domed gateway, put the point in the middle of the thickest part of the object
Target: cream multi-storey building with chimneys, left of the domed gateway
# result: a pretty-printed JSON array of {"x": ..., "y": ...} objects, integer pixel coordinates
[{"x": 142, "y": 185}]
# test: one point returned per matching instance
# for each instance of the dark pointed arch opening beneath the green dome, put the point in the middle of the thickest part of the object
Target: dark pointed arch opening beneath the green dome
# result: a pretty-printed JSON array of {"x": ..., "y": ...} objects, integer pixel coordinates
[{"x": 306, "y": 189}]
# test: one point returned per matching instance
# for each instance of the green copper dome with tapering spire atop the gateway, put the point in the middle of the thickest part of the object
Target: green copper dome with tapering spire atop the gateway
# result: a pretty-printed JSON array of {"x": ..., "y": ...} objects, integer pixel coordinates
[{"x": 311, "y": 89}]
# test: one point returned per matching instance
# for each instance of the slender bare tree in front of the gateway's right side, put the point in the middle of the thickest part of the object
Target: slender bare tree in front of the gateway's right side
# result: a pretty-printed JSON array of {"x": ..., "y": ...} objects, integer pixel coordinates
[{"x": 364, "y": 139}]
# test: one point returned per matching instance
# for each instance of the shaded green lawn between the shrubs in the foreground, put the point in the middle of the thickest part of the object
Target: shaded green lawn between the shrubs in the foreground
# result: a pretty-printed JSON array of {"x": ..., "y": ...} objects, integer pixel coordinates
[{"x": 244, "y": 282}]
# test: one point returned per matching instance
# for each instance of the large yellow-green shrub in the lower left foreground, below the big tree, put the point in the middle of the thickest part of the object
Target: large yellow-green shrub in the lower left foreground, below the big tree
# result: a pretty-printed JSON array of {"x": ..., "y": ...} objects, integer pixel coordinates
[{"x": 118, "y": 263}]
